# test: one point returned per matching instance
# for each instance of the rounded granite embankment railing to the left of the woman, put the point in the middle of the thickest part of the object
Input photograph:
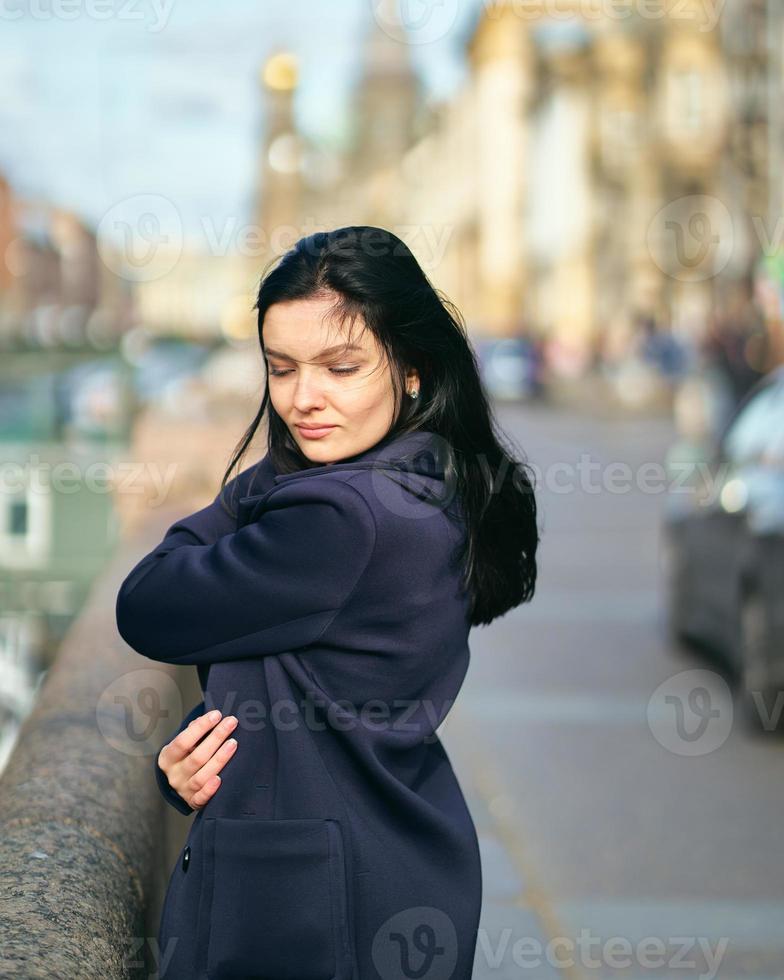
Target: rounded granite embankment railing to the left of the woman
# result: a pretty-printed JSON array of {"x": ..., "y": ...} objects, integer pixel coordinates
[{"x": 86, "y": 841}]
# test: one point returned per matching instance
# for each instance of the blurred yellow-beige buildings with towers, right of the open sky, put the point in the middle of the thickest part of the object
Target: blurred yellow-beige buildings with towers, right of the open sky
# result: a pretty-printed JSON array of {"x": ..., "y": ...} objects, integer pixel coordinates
[{"x": 591, "y": 173}]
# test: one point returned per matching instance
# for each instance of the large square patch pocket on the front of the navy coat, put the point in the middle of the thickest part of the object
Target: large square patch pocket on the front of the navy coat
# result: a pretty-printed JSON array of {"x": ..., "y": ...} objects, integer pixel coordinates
[{"x": 276, "y": 899}]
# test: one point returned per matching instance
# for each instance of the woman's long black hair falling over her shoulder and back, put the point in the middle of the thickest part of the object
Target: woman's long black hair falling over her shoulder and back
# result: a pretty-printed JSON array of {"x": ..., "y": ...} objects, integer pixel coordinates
[{"x": 377, "y": 281}]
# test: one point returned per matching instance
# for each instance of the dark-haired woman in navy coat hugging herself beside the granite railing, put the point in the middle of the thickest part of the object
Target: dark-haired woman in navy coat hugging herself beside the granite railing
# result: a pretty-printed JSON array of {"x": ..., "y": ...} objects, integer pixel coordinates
[{"x": 326, "y": 597}]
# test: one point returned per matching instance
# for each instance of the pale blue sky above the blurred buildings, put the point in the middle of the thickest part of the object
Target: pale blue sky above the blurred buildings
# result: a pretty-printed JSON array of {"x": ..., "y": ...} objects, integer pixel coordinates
[{"x": 101, "y": 100}]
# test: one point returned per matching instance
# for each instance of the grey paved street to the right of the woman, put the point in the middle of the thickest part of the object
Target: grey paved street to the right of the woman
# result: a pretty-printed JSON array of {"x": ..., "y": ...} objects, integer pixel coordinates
[{"x": 596, "y": 813}]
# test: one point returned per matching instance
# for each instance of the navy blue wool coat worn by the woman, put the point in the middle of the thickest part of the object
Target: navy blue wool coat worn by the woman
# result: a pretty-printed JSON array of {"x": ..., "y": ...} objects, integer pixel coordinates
[{"x": 330, "y": 619}]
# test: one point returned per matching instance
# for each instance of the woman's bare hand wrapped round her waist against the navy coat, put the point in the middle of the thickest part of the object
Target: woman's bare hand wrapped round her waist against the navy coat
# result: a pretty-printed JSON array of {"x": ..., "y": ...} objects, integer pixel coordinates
[{"x": 191, "y": 765}]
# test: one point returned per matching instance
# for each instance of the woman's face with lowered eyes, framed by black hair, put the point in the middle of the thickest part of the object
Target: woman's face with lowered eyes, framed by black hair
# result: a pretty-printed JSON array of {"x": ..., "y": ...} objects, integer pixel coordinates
[{"x": 349, "y": 392}]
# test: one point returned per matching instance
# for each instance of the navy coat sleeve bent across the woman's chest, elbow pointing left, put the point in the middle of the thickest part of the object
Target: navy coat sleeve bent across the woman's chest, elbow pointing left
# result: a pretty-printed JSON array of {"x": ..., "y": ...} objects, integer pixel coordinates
[{"x": 273, "y": 585}]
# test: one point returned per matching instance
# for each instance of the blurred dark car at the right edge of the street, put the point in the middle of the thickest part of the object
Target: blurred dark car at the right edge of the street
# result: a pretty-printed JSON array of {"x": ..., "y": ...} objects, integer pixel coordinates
[{"x": 724, "y": 542}]
